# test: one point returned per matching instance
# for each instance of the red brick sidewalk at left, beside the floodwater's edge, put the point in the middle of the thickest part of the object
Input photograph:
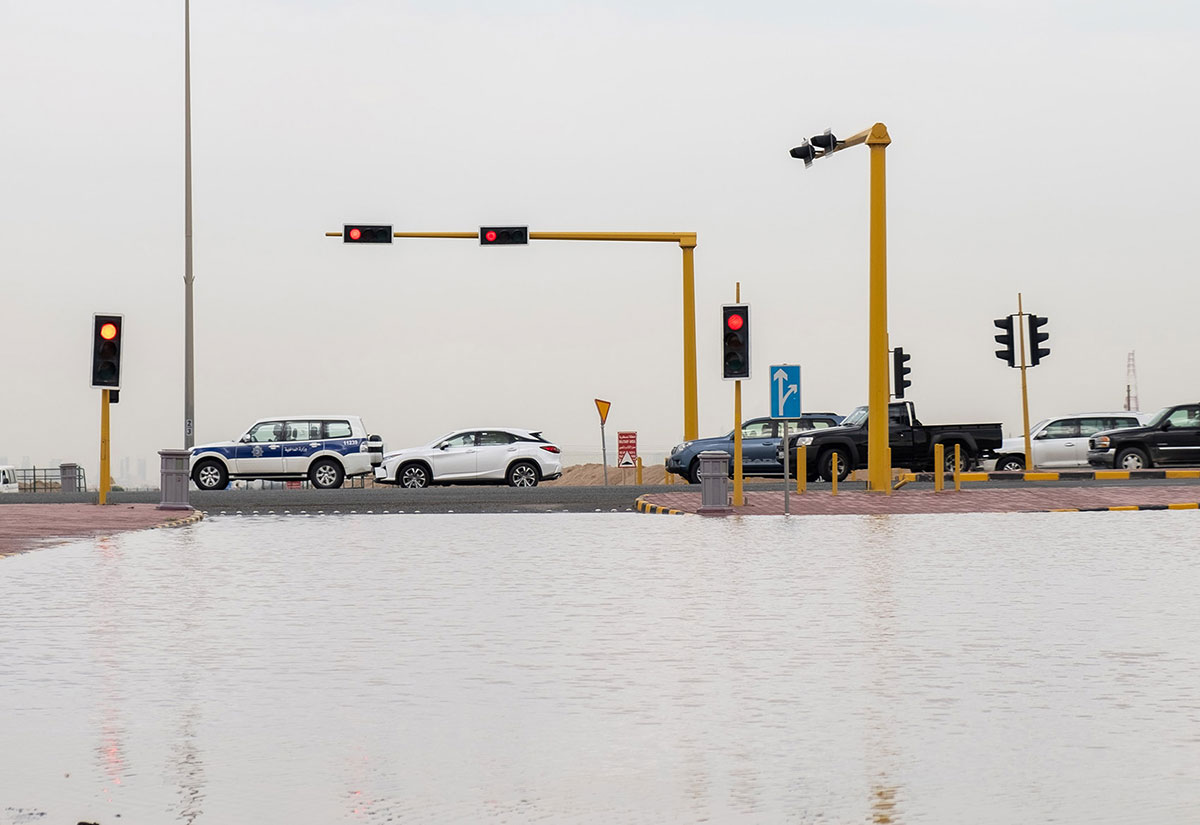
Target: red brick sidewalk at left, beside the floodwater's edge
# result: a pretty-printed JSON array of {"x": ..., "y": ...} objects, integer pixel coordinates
[{"x": 25, "y": 527}]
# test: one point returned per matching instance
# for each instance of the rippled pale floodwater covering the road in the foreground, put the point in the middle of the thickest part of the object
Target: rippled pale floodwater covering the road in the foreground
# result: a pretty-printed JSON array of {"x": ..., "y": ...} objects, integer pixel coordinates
[{"x": 599, "y": 669}]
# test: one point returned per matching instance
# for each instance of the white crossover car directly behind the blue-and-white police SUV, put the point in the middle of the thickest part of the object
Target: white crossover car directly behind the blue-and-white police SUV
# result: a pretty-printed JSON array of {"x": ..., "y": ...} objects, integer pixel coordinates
[{"x": 500, "y": 455}]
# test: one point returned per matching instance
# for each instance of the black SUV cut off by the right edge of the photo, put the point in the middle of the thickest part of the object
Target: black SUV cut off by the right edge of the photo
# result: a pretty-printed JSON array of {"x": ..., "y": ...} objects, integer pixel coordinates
[{"x": 1173, "y": 437}]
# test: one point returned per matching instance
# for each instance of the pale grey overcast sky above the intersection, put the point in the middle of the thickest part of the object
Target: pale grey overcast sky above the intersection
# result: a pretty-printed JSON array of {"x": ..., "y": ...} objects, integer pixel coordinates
[{"x": 1040, "y": 147}]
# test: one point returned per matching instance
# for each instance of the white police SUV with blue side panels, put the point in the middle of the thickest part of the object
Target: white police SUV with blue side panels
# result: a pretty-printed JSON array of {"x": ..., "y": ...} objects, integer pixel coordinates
[{"x": 323, "y": 449}]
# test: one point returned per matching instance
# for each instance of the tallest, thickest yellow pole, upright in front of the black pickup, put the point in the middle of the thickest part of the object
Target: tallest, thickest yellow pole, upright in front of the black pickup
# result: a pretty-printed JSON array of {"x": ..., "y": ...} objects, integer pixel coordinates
[{"x": 879, "y": 459}]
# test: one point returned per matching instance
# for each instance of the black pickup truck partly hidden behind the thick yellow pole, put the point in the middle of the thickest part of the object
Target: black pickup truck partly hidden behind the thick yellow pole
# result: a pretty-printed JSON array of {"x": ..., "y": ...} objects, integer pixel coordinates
[{"x": 913, "y": 443}]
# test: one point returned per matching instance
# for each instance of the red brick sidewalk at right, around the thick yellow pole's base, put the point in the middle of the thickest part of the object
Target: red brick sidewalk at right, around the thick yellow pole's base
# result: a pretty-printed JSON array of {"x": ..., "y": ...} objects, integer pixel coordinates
[{"x": 976, "y": 501}]
